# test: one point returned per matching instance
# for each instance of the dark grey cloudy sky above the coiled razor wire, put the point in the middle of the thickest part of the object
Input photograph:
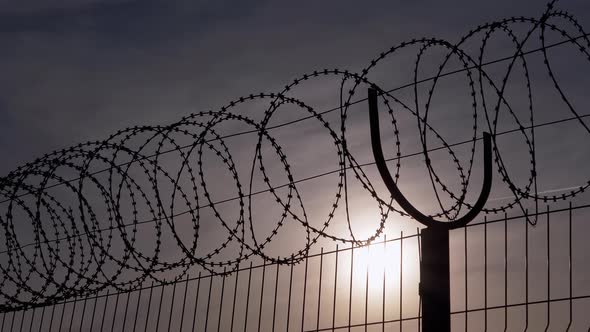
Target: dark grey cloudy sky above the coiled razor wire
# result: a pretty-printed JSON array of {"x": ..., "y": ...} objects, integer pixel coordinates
[{"x": 75, "y": 71}]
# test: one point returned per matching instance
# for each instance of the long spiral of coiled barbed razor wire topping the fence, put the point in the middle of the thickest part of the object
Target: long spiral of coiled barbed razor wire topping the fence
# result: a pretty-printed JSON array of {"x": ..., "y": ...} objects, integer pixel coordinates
[{"x": 82, "y": 247}]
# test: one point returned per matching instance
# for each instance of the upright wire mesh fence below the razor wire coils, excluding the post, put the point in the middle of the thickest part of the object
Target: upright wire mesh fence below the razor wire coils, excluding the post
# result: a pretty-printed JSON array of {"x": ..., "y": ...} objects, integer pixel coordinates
[{"x": 374, "y": 288}]
